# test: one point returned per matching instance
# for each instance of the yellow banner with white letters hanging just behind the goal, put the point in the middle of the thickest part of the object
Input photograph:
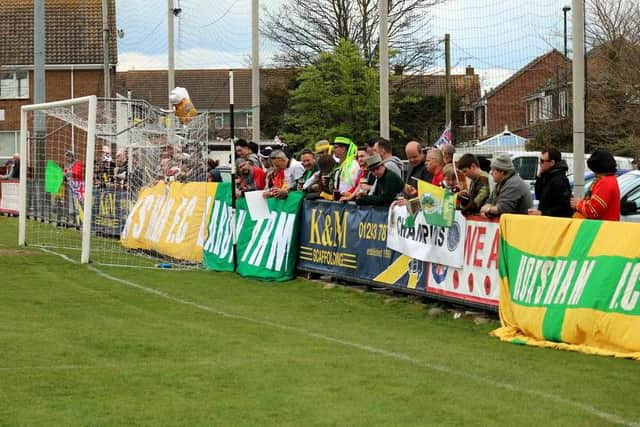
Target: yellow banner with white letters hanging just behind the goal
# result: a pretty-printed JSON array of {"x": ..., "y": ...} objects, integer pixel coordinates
[{"x": 171, "y": 219}]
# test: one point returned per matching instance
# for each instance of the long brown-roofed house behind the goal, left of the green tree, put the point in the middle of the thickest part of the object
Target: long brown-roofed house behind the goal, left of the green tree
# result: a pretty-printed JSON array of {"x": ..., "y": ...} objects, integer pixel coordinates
[{"x": 209, "y": 92}]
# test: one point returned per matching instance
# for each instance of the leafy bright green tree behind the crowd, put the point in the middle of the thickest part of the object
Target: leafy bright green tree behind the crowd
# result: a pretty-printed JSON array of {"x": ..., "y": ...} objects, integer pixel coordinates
[{"x": 337, "y": 96}]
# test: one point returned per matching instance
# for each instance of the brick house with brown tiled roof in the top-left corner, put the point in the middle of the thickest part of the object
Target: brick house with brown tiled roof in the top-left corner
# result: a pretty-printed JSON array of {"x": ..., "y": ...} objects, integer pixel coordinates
[{"x": 73, "y": 57}]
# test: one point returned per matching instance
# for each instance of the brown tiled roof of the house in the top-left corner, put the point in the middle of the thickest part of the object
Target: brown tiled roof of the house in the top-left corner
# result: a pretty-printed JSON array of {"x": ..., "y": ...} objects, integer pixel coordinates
[{"x": 73, "y": 32}]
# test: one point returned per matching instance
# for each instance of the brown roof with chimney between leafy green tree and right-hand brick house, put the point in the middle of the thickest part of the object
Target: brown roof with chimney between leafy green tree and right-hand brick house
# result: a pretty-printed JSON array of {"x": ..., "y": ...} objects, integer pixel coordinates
[{"x": 466, "y": 87}]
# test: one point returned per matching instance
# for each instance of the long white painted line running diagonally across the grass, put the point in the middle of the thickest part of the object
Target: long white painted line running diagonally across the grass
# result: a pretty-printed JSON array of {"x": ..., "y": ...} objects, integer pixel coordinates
[{"x": 608, "y": 416}]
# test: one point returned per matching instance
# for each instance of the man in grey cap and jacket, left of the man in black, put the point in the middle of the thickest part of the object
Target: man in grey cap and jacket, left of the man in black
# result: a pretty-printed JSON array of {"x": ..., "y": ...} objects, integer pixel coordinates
[{"x": 511, "y": 194}]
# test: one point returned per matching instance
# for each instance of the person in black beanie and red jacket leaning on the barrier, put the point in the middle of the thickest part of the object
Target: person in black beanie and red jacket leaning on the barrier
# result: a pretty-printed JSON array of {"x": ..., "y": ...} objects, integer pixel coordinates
[{"x": 602, "y": 201}]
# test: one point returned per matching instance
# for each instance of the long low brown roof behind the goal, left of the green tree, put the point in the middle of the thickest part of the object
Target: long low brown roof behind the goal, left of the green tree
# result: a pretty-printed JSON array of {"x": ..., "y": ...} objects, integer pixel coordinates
[{"x": 208, "y": 89}]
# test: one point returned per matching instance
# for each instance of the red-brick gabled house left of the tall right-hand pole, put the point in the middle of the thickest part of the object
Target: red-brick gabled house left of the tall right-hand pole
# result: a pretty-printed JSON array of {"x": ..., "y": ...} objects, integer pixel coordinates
[{"x": 506, "y": 104}]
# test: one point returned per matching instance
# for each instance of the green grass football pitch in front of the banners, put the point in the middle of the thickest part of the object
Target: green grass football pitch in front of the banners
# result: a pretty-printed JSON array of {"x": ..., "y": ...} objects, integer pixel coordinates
[{"x": 97, "y": 346}]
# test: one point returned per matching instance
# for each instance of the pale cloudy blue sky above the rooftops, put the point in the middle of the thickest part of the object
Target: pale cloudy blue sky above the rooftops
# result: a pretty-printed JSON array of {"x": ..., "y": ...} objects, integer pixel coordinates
[{"x": 496, "y": 37}]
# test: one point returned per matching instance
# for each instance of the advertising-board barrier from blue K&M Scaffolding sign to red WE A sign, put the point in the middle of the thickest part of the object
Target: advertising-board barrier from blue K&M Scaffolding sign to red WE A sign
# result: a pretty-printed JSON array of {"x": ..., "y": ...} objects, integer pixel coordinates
[{"x": 350, "y": 243}]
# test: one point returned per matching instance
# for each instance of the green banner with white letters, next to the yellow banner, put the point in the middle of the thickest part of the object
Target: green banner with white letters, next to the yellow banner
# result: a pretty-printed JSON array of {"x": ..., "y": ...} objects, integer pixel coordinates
[{"x": 266, "y": 249}]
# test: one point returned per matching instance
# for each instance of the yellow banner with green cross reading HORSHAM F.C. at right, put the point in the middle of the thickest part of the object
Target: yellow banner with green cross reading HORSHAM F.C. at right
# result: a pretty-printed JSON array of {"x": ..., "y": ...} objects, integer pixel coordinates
[{"x": 571, "y": 284}]
